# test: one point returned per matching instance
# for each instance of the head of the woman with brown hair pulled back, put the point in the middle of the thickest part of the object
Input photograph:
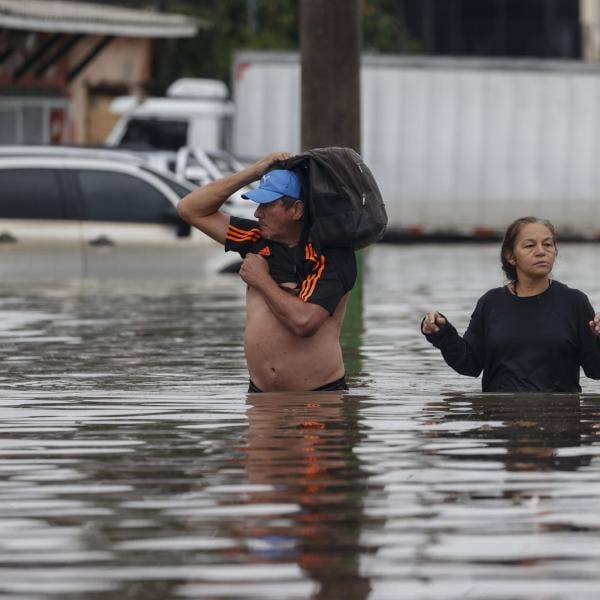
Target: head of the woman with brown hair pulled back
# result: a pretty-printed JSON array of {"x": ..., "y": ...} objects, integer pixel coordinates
[{"x": 534, "y": 252}]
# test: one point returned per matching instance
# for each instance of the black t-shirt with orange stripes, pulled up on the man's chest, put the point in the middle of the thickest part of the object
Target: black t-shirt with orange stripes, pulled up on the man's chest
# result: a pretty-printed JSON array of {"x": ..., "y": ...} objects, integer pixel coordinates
[{"x": 321, "y": 279}]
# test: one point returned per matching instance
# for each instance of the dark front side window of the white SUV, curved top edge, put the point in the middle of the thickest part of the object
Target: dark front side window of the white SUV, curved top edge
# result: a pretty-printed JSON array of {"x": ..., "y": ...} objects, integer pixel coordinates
[{"x": 110, "y": 196}]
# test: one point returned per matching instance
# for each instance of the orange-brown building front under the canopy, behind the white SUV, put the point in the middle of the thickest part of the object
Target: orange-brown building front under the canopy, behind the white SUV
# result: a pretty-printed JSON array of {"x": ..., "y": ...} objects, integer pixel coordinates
[{"x": 43, "y": 100}]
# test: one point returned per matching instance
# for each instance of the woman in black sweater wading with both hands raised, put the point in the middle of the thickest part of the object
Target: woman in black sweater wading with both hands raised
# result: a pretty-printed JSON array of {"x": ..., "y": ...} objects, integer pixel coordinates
[{"x": 533, "y": 334}]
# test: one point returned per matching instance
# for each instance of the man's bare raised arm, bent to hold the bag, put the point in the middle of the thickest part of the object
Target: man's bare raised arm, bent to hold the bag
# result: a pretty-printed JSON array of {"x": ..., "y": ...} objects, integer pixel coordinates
[{"x": 200, "y": 208}]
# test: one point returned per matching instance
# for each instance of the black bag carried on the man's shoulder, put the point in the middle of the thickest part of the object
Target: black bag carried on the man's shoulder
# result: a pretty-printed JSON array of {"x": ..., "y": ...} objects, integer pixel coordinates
[{"x": 343, "y": 204}]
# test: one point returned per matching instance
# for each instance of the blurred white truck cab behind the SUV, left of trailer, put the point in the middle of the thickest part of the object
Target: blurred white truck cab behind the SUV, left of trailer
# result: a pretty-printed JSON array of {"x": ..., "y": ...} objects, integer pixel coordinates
[{"x": 195, "y": 112}]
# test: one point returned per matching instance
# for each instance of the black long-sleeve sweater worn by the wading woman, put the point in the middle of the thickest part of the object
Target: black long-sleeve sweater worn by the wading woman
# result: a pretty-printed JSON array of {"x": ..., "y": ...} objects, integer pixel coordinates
[{"x": 525, "y": 344}]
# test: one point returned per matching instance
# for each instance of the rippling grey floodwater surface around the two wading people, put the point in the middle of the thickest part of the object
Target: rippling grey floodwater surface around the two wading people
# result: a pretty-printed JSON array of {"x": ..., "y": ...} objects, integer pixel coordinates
[{"x": 133, "y": 464}]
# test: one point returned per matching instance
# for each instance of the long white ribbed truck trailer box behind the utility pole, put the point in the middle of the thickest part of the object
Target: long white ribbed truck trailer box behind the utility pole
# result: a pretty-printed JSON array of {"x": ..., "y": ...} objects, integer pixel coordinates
[{"x": 458, "y": 146}]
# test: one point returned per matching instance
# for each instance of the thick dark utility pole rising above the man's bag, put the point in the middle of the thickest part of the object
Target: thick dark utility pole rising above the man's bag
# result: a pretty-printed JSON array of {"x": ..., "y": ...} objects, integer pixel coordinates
[{"x": 330, "y": 48}]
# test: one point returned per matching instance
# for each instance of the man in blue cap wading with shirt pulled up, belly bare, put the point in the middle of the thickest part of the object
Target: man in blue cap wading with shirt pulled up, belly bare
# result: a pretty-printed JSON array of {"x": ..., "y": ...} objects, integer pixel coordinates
[{"x": 294, "y": 306}]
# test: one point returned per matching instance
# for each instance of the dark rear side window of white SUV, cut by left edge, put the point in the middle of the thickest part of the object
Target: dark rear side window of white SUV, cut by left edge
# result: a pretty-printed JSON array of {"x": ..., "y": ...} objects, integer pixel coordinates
[{"x": 30, "y": 194}]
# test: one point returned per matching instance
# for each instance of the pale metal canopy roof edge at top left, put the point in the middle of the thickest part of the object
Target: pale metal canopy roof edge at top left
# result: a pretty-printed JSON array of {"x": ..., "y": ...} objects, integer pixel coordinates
[{"x": 83, "y": 17}]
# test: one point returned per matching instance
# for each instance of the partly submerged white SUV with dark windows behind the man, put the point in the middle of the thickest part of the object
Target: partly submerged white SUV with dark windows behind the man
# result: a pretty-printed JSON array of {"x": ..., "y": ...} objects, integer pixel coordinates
[{"x": 86, "y": 213}]
